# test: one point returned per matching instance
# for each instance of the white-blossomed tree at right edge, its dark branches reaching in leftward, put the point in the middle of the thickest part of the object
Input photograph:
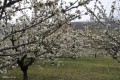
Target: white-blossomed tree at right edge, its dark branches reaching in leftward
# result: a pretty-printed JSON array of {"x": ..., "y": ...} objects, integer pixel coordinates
[{"x": 106, "y": 35}]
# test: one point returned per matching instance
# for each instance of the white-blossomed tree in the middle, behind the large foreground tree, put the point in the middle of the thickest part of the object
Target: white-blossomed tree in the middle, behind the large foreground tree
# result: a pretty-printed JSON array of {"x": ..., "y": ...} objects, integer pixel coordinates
[{"x": 69, "y": 41}]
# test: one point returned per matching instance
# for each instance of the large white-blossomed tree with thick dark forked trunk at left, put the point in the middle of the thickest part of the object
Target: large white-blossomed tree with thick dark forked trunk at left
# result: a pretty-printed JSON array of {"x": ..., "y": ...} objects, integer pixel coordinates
[{"x": 24, "y": 25}]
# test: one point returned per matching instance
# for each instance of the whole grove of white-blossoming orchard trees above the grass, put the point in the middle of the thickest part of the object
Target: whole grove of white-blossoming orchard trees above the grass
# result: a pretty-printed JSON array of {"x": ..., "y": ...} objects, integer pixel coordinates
[{"x": 34, "y": 29}]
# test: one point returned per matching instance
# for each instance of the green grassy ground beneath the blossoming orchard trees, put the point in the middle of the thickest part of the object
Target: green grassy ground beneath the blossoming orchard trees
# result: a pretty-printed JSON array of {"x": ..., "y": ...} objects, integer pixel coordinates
[{"x": 78, "y": 69}]
